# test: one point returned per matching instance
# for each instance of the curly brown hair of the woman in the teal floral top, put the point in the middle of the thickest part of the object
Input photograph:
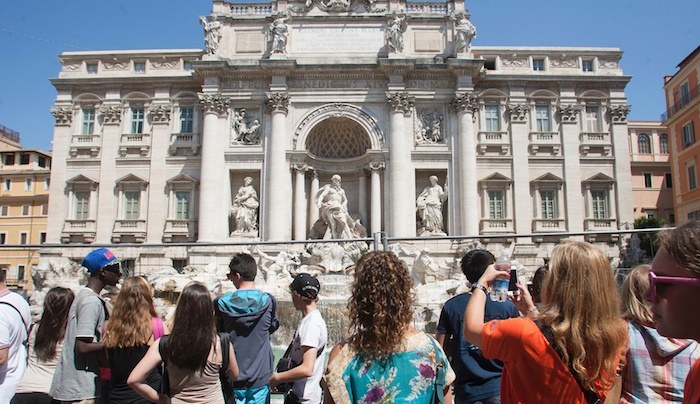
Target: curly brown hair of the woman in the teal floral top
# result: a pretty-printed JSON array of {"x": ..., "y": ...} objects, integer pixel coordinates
[{"x": 380, "y": 307}]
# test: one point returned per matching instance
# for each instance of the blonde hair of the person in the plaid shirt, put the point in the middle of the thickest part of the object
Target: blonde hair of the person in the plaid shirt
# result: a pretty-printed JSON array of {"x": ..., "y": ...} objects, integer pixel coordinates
[{"x": 634, "y": 306}]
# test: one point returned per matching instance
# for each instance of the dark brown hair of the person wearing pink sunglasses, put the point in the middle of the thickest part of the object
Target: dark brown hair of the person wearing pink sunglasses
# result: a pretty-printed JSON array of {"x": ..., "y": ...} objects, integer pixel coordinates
[{"x": 683, "y": 245}]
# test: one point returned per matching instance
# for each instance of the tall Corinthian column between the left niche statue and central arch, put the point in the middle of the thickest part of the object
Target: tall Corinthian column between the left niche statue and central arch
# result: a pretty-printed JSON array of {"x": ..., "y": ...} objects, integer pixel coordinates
[{"x": 277, "y": 210}]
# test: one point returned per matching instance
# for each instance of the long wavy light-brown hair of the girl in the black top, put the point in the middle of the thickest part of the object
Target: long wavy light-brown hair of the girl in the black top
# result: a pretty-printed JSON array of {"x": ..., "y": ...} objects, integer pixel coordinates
[{"x": 130, "y": 323}]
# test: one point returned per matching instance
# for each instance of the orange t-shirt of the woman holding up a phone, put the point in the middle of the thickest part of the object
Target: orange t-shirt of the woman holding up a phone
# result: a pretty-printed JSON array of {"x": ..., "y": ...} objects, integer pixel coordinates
[{"x": 532, "y": 371}]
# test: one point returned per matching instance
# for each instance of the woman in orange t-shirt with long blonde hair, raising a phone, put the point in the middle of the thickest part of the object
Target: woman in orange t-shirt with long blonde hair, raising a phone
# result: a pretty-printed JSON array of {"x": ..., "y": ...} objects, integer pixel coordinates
[{"x": 570, "y": 349}]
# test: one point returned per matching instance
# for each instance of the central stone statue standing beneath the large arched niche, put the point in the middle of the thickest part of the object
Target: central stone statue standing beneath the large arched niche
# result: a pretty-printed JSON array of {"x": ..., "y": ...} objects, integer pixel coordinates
[{"x": 335, "y": 222}]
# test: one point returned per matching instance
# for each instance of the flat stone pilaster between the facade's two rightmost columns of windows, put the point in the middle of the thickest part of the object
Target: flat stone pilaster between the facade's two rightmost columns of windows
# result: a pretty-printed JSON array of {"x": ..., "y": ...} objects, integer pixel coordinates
[{"x": 570, "y": 140}]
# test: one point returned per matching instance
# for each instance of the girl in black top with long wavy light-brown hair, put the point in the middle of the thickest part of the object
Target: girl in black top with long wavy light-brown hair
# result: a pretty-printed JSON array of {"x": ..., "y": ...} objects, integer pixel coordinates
[{"x": 132, "y": 328}]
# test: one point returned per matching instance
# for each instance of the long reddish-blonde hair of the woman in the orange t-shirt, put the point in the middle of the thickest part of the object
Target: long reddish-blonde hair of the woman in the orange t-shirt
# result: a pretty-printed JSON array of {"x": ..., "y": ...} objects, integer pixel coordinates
[{"x": 580, "y": 303}]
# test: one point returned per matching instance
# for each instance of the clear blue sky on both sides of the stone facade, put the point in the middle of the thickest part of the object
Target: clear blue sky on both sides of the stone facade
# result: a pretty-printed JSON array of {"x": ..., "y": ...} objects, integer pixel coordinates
[{"x": 654, "y": 35}]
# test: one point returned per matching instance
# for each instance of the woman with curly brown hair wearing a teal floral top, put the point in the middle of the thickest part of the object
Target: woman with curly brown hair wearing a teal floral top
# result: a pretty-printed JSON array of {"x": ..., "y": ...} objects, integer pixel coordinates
[{"x": 385, "y": 359}]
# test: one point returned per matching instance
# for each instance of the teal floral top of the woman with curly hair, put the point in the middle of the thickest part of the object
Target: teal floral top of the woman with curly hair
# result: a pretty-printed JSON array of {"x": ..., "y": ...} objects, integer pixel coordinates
[{"x": 413, "y": 373}]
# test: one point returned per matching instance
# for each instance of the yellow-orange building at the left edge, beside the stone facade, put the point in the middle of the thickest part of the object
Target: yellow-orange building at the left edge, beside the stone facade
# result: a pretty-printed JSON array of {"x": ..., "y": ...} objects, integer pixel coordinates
[{"x": 24, "y": 202}]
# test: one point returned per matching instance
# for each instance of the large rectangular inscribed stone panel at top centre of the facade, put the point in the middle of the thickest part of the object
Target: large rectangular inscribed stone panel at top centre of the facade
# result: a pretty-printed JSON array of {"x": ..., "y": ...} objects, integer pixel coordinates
[{"x": 340, "y": 39}]
